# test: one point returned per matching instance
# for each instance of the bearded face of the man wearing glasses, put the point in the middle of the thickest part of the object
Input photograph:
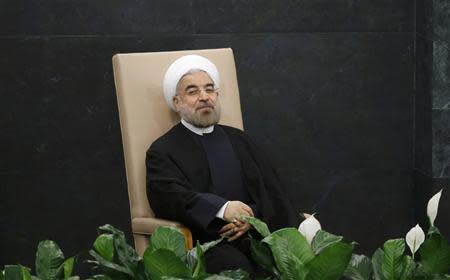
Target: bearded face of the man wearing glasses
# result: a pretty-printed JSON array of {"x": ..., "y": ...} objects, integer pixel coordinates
[{"x": 197, "y": 100}]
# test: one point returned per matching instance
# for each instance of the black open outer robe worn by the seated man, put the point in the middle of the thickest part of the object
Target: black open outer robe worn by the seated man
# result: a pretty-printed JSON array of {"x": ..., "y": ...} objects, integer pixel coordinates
[{"x": 179, "y": 184}]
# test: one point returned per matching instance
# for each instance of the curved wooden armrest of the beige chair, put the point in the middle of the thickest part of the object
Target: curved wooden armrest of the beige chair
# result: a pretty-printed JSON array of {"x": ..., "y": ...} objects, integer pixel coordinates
[{"x": 146, "y": 226}]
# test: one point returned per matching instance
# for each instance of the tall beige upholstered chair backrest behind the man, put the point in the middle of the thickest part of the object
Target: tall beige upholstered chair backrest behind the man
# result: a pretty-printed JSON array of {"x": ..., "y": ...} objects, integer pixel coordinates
[{"x": 145, "y": 116}]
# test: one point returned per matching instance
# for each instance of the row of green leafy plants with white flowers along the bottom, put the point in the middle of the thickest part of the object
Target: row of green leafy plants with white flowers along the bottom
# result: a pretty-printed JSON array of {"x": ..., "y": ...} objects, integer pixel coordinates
[{"x": 306, "y": 253}]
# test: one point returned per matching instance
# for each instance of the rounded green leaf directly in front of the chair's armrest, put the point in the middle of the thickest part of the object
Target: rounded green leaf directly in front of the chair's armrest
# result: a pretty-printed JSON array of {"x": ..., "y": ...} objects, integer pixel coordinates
[{"x": 169, "y": 238}]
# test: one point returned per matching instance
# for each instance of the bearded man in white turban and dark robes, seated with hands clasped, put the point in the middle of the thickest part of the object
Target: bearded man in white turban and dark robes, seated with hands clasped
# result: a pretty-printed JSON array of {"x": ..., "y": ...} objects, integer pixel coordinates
[{"x": 206, "y": 175}]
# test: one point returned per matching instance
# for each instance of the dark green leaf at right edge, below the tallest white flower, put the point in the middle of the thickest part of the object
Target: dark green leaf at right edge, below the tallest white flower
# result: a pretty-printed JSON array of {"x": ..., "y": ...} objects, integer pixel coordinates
[{"x": 435, "y": 254}]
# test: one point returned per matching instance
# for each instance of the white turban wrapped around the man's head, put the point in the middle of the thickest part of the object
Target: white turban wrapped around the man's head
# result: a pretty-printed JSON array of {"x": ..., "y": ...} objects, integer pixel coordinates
[{"x": 180, "y": 67}]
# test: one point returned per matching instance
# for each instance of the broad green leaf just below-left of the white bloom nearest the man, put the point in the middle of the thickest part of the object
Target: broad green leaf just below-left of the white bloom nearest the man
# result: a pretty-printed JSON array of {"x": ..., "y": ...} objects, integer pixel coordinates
[{"x": 288, "y": 241}]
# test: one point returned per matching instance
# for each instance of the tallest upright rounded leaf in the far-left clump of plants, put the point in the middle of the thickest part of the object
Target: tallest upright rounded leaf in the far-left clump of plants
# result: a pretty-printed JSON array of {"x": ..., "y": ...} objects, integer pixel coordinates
[{"x": 49, "y": 259}]
